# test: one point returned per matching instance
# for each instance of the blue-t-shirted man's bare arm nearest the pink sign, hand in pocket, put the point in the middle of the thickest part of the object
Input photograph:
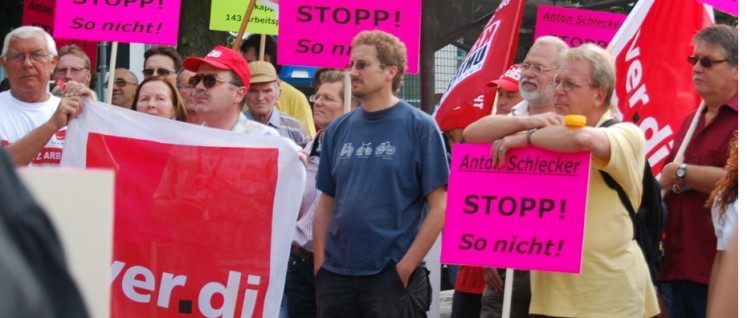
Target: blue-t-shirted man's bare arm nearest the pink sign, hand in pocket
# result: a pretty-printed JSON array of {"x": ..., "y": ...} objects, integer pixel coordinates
[{"x": 429, "y": 231}]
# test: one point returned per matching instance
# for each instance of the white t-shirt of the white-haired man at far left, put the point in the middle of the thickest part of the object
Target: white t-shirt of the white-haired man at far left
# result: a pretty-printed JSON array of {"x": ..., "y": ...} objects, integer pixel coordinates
[{"x": 18, "y": 118}]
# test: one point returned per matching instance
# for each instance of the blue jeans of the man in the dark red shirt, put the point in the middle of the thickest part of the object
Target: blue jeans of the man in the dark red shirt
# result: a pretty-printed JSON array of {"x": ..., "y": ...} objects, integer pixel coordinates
[{"x": 688, "y": 299}]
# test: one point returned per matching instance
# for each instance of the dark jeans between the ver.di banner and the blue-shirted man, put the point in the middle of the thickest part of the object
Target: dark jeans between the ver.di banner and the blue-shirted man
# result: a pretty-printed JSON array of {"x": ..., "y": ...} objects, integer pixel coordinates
[{"x": 299, "y": 299}]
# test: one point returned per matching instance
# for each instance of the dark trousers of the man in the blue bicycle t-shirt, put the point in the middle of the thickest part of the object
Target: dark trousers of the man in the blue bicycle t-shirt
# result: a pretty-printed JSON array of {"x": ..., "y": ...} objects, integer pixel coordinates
[{"x": 379, "y": 295}]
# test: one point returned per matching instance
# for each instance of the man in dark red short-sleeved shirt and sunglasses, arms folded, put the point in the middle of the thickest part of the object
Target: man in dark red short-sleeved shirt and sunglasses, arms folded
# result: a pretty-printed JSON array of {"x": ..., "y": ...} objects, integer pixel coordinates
[{"x": 690, "y": 245}]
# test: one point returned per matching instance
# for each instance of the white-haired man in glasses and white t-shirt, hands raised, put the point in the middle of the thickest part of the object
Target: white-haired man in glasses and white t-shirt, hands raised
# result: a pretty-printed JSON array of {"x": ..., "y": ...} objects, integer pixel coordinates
[{"x": 32, "y": 121}]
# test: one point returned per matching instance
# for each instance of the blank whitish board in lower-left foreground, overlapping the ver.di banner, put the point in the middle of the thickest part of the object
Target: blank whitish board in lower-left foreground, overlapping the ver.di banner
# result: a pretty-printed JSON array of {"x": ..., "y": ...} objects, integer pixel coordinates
[{"x": 85, "y": 230}]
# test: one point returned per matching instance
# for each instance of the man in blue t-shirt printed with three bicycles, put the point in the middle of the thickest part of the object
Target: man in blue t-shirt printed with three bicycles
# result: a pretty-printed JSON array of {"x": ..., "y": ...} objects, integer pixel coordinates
[{"x": 380, "y": 165}]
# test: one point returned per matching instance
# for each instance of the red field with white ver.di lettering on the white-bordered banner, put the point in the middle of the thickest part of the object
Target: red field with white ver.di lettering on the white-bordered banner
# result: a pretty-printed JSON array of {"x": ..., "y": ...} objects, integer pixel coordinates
[{"x": 189, "y": 236}]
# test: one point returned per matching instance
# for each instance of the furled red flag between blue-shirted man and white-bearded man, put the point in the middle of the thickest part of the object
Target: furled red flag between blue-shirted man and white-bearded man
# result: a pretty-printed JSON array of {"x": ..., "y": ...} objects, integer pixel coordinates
[{"x": 465, "y": 99}]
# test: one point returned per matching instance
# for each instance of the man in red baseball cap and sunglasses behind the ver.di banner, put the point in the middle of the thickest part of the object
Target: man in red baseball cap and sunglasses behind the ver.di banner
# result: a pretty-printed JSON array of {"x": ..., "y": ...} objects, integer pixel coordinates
[{"x": 220, "y": 83}]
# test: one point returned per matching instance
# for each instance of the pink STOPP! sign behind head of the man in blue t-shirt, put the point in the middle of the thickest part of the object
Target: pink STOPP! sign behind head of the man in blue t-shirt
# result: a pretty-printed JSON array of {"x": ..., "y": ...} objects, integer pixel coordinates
[{"x": 319, "y": 32}]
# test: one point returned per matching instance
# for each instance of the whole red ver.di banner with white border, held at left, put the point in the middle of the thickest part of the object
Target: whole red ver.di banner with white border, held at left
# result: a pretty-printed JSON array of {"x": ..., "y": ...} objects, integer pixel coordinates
[{"x": 203, "y": 219}]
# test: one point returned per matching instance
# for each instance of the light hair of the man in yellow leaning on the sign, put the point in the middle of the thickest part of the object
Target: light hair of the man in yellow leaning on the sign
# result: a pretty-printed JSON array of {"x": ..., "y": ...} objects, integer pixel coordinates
[{"x": 602, "y": 67}]
